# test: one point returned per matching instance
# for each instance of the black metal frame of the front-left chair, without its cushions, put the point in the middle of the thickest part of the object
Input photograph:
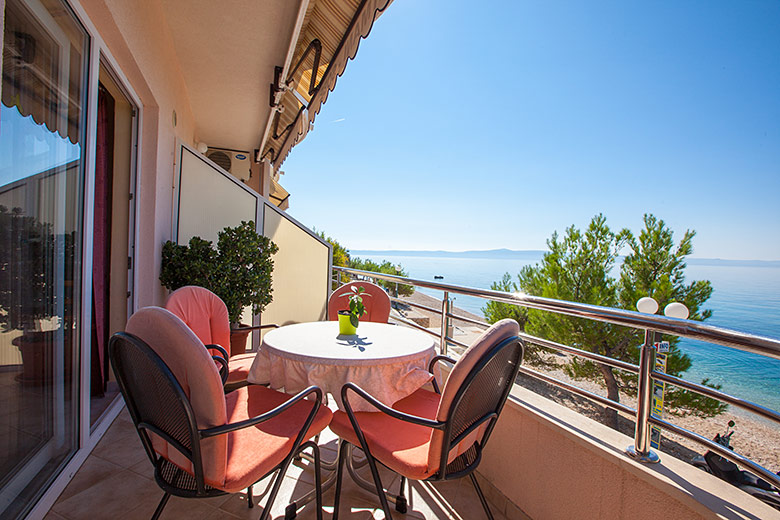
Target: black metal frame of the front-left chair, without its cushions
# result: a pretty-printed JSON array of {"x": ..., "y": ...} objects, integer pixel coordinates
[{"x": 175, "y": 481}]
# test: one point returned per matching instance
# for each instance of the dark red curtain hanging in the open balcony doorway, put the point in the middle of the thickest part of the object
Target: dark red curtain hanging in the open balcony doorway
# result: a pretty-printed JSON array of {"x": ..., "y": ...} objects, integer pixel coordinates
[{"x": 101, "y": 252}]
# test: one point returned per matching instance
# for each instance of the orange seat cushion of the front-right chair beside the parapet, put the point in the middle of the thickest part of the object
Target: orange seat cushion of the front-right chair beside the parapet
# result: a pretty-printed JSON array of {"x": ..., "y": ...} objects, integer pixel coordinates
[{"x": 401, "y": 446}]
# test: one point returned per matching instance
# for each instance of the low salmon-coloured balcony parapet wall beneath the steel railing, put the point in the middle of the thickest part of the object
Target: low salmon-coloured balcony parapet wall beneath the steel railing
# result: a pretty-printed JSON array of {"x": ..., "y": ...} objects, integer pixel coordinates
[{"x": 545, "y": 461}]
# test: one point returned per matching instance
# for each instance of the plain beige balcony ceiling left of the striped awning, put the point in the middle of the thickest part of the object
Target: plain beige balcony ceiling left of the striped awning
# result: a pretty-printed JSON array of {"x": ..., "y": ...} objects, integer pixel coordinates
[{"x": 227, "y": 52}]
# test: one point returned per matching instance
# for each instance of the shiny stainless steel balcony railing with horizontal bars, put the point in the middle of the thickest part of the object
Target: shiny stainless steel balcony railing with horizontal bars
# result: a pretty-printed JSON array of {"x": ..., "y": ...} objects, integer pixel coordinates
[{"x": 645, "y": 370}]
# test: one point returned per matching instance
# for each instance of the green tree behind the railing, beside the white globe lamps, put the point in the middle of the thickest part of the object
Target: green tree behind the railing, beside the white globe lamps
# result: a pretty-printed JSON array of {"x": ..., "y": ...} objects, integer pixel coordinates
[{"x": 578, "y": 268}]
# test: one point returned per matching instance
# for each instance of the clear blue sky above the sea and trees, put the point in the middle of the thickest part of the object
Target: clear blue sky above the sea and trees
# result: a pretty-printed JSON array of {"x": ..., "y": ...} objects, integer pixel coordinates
[{"x": 468, "y": 125}]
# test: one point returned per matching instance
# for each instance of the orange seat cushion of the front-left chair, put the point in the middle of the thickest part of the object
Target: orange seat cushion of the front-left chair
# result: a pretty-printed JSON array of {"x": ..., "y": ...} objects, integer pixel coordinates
[{"x": 253, "y": 452}]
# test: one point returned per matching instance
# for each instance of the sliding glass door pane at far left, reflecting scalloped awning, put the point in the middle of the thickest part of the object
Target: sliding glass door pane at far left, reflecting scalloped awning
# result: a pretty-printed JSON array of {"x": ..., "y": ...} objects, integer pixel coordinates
[{"x": 42, "y": 129}]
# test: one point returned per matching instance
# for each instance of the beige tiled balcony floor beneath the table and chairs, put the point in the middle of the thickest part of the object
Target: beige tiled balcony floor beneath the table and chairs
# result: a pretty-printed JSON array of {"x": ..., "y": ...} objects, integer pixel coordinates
[{"x": 117, "y": 481}]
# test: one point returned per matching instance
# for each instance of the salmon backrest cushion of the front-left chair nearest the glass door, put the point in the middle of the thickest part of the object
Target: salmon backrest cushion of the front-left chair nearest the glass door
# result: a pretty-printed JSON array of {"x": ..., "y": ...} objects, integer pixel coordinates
[{"x": 192, "y": 366}]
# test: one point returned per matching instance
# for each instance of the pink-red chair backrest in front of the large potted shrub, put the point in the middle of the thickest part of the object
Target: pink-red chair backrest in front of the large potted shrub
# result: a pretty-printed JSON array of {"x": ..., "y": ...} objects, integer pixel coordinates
[{"x": 203, "y": 312}]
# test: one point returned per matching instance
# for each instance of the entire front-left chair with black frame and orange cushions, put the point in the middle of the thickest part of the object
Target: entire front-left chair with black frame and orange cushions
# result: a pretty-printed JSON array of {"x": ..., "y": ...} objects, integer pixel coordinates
[{"x": 201, "y": 441}]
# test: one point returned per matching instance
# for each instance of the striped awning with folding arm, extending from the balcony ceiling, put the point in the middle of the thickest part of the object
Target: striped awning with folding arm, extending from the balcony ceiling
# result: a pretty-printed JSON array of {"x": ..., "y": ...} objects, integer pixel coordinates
[{"x": 339, "y": 25}]
